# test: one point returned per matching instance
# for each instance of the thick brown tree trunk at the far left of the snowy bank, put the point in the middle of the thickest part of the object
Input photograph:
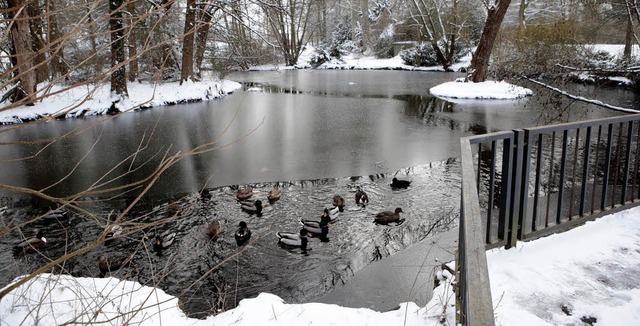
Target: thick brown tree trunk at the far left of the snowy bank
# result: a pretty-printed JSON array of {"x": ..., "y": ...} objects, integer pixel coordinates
[{"x": 21, "y": 38}]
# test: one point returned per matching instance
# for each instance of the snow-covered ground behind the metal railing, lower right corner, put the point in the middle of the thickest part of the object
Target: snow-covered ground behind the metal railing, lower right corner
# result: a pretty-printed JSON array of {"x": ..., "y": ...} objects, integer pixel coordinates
[{"x": 590, "y": 273}]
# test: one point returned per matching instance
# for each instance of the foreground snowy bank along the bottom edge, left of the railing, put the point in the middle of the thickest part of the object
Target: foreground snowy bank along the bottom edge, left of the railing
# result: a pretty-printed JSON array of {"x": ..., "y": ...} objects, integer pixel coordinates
[{"x": 59, "y": 299}]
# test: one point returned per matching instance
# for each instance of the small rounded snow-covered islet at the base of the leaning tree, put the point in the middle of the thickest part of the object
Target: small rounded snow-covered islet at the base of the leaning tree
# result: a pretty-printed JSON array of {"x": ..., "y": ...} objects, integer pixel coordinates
[{"x": 484, "y": 90}]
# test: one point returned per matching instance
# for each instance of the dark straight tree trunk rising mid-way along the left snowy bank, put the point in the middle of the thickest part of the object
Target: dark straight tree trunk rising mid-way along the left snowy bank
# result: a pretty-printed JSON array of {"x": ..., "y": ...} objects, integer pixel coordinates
[{"x": 118, "y": 67}]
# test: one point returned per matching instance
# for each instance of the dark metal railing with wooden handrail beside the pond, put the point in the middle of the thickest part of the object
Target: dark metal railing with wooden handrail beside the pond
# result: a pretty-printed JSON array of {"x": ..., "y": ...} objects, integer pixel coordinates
[{"x": 528, "y": 183}]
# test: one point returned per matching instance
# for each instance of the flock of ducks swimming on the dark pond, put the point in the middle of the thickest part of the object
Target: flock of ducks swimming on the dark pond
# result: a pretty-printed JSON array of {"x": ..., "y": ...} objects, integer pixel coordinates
[{"x": 310, "y": 228}]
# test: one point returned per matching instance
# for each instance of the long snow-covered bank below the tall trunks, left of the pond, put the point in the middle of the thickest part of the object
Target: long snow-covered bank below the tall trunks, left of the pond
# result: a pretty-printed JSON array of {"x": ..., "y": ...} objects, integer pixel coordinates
[{"x": 97, "y": 99}]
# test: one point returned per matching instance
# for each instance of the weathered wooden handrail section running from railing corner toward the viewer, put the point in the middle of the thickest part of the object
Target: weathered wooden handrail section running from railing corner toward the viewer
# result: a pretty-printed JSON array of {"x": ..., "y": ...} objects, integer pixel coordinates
[{"x": 475, "y": 292}]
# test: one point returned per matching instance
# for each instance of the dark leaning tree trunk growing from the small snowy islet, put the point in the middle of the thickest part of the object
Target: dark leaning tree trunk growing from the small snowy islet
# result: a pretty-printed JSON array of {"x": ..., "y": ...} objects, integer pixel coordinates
[{"x": 480, "y": 60}]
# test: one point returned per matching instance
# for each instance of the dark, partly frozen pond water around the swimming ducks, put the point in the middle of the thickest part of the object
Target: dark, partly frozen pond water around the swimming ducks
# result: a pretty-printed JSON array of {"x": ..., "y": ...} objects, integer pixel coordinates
[{"x": 313, "y": 134}]
